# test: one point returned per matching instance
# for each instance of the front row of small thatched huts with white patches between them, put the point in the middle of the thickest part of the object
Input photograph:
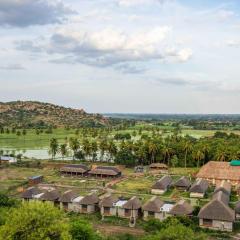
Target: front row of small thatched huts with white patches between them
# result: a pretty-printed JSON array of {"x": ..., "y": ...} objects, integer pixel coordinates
[{"x": 109, "y": 205}]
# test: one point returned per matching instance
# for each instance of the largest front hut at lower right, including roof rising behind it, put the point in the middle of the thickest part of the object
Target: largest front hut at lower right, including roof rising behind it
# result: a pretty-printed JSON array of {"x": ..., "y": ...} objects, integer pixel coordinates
[{"x": 217, "y": 214}]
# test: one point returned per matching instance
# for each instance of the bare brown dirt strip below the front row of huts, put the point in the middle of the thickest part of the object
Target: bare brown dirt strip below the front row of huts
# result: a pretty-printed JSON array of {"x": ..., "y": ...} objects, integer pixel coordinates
[{"x": 116, "y": 230}]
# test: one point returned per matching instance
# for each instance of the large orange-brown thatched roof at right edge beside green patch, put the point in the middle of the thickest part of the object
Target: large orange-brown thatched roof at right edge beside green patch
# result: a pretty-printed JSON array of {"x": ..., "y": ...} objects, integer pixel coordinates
[{"x": 219, "y": 171}]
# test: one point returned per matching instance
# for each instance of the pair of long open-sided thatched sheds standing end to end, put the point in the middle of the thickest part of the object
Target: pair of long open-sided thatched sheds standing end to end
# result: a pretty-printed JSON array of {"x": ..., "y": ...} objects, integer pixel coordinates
[{"x": 84, "y": 170}]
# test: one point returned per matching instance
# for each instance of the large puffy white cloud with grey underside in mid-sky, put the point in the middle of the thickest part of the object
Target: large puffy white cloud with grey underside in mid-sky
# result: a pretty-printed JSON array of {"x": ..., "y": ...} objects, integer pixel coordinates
[{"x": 110, "y": 46}]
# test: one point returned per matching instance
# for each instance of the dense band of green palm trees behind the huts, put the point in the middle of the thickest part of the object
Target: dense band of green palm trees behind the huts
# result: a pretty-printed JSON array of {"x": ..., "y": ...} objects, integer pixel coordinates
[{"x": 175, "y": 150}]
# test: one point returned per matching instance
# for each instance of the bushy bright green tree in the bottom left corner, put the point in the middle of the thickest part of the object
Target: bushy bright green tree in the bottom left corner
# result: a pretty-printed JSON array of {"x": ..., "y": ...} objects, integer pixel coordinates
[{"x": 35, "y": 220}]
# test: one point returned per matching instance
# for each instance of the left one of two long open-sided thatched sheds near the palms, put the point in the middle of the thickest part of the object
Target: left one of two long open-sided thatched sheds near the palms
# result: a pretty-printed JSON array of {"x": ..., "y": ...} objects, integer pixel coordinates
[{"x": 74, "y": 170}]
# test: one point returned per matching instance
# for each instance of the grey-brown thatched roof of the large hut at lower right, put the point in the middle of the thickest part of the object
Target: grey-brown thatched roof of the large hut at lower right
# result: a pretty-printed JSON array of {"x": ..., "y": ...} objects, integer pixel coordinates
[{"x": 217, "y": 210}]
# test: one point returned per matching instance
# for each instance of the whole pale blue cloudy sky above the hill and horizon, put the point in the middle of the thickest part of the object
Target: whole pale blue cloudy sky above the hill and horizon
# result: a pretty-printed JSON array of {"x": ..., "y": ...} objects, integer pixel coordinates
[{"x": 122, "y": 56}]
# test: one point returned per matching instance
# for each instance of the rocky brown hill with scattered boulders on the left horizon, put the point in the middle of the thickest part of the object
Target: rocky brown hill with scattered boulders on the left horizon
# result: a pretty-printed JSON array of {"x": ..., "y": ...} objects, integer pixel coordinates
[{"x": 32, "y": 114}]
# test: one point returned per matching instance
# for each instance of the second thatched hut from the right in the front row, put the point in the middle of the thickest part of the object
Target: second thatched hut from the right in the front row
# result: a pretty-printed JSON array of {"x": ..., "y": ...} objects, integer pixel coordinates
[{"x": 152, "y": 209}]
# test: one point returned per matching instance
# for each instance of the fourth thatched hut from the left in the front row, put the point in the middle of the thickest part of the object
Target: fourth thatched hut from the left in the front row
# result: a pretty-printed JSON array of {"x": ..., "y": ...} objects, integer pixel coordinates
[{"x": 89, "y": 203}]
